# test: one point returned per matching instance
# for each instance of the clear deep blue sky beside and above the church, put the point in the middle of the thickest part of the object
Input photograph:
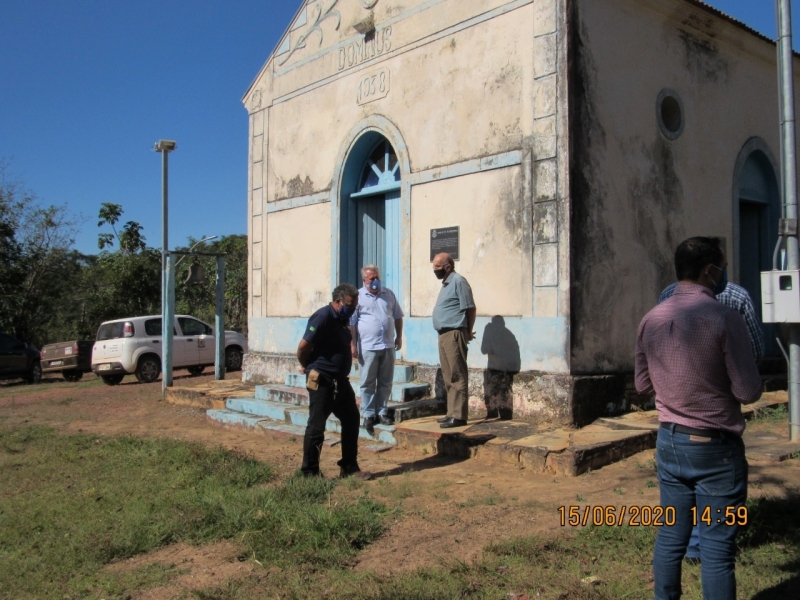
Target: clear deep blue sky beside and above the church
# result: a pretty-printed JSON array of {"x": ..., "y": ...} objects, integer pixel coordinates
[{"x": 87, "y": 87}]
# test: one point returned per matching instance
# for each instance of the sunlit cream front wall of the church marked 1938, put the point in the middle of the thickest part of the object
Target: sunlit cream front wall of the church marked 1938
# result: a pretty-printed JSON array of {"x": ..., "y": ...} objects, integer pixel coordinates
[{"x": 472, "y": 94}]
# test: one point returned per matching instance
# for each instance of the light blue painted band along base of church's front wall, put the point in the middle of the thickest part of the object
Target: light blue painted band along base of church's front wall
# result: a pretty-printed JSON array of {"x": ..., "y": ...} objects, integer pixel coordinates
[{"x": 518, "y": 343}]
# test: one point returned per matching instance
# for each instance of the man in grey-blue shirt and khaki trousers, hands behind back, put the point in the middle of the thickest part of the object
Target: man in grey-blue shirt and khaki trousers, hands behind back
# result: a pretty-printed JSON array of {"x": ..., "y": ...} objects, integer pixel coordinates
[{"x": 454, "y": 320}]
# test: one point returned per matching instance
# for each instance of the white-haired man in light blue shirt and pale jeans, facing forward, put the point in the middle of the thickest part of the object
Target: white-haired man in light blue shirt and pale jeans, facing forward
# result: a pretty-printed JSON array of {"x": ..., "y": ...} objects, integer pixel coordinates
[{"x": 377, "y": 329}]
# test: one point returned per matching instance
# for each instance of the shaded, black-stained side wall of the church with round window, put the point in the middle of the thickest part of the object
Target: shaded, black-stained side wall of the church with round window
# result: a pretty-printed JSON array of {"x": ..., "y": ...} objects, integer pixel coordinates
[{"x": 636, "y": 194}]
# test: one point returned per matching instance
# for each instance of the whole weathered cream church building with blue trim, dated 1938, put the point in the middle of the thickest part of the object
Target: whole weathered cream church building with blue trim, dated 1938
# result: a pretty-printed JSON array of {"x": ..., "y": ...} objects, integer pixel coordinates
[{"x": 559, "y": 149}]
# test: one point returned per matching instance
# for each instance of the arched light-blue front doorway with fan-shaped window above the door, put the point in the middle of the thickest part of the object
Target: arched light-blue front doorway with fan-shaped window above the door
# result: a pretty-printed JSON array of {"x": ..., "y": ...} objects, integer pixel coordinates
[{"x": 370, "y": 211}]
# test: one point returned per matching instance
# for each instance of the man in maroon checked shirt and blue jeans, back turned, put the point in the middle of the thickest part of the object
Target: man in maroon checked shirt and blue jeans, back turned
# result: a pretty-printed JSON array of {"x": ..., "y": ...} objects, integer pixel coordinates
[{"x": 695, "y": 354}]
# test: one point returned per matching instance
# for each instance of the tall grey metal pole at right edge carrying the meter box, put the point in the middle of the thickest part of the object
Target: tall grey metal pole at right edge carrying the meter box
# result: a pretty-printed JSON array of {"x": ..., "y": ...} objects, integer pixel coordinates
[{"x": 789, "y": 189}]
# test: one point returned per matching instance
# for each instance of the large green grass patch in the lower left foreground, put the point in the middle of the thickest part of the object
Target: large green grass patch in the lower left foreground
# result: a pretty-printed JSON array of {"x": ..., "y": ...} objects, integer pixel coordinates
[{"x": 71, "y": 504}]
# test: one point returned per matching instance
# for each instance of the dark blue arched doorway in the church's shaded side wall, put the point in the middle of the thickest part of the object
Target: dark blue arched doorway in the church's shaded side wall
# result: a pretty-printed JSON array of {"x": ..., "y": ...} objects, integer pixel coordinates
[{"x": 758, "y": 208}]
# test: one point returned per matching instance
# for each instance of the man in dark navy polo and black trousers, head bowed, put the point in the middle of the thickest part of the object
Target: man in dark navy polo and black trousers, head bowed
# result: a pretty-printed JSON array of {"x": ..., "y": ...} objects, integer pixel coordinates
[{"x": 324, "y": 355}]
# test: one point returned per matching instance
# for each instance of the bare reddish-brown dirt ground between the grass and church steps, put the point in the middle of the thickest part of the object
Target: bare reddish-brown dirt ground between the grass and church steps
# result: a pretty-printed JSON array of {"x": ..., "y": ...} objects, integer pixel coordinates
[{"x": 451, "y": 509}]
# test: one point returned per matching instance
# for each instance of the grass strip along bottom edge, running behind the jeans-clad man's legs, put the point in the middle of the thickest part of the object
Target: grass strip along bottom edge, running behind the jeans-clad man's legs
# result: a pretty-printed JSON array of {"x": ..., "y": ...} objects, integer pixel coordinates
[{"x": 593, "y": 563}]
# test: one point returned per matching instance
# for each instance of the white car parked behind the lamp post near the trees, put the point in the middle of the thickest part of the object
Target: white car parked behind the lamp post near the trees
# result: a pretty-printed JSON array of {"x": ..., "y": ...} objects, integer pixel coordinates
[{"x": 133, "y": 346}]
